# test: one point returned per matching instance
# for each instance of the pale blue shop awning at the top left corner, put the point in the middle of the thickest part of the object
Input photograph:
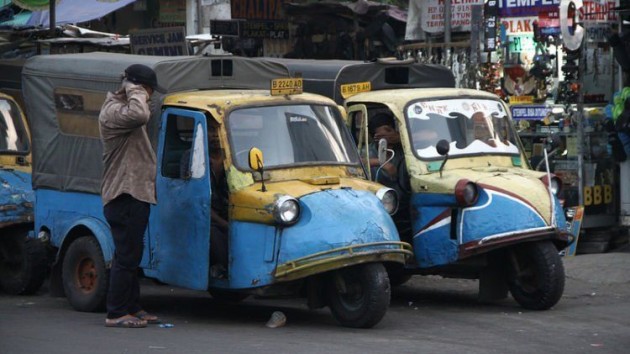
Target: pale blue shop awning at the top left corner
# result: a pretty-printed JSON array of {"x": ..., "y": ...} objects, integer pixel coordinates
[{"x": 72, "y": 11}]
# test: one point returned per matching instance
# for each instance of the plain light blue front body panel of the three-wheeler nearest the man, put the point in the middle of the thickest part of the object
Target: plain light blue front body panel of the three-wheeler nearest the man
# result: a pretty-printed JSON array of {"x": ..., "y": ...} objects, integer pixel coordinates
[{"x": 338, "y": 218}]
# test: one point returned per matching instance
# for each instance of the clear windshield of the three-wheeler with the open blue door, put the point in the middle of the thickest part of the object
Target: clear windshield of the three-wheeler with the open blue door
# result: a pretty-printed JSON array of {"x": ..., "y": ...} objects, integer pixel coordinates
[{"x": 291, "y": 135}]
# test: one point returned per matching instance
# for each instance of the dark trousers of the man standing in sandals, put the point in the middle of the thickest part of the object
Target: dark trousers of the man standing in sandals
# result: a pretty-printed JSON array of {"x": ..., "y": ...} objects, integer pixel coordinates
[{"x": 128, "y": 218}]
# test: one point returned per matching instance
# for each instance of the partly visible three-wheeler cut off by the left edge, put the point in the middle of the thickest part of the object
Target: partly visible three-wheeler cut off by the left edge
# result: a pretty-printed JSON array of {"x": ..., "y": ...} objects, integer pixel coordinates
[{"x": 22, "y": 258}]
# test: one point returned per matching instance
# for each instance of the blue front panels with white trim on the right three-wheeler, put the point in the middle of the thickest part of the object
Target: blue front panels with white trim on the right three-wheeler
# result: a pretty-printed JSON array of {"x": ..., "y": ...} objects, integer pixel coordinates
[{"x": 437, "y": 241}]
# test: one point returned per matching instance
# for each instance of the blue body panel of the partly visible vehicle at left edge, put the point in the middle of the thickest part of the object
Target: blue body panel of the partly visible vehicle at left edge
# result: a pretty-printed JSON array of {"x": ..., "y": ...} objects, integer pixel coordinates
[{"x": 16, "y": 197}]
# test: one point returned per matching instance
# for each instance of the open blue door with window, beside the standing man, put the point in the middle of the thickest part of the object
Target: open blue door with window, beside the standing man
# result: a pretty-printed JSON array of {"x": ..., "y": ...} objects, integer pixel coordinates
[{"x": 180, "y": 222}]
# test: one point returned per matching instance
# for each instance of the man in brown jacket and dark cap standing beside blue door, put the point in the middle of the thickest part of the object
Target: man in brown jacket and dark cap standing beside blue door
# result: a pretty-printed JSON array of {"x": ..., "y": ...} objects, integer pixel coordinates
[{"x": 128, "y": 189}]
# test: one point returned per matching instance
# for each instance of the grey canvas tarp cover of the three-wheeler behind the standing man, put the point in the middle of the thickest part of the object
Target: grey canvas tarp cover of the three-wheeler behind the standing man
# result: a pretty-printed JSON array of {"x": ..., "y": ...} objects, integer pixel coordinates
[{"x": 73, "y": 163}]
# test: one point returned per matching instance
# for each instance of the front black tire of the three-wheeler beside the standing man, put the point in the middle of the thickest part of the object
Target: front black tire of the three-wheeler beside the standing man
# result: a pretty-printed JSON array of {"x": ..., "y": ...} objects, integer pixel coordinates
[{"x": 359, "y": 296}]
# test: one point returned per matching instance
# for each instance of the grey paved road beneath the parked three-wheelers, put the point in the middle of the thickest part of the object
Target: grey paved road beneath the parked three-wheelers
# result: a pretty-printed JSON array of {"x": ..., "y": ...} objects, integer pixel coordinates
[{"x": 428, "y": 315}]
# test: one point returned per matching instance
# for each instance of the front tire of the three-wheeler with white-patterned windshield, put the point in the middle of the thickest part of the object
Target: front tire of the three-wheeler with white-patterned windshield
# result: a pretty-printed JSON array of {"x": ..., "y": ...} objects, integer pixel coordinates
[{"x": 539, "y": 282}]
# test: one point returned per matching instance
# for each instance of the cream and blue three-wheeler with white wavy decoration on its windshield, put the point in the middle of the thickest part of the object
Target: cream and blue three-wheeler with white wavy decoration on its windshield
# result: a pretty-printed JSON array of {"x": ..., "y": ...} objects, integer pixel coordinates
[{"x": 475, "y": 208}]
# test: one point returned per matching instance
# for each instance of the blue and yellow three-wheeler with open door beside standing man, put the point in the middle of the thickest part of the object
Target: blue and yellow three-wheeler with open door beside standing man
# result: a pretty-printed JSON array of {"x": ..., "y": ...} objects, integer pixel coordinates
[{"x": 303, "y": 218}]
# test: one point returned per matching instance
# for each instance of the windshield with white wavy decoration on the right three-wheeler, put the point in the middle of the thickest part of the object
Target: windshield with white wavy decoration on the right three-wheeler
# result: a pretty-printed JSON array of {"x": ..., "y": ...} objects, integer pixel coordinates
[{"x": 471, "y": 126}]
